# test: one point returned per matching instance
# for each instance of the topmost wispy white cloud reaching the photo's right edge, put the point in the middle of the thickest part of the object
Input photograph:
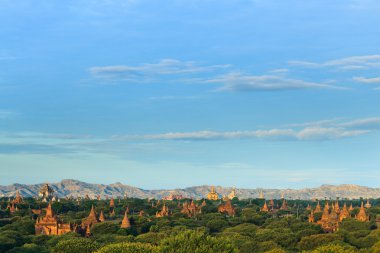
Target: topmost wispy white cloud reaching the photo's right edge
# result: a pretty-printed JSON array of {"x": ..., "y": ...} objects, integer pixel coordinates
[{"x": 348, "y": 63}]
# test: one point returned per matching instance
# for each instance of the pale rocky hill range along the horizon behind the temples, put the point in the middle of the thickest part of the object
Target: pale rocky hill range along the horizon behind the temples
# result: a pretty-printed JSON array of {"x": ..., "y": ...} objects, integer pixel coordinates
[{"x": 75, "y": 188}]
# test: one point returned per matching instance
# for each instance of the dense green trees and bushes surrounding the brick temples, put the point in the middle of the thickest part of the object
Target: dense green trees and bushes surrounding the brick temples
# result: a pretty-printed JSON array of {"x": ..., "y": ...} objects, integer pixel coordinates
[{"x": 250, "y": 230}]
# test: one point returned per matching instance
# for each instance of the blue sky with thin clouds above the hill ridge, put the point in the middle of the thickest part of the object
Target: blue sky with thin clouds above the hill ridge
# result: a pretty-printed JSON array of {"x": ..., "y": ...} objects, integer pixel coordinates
[{"x": 167, "y": 94}]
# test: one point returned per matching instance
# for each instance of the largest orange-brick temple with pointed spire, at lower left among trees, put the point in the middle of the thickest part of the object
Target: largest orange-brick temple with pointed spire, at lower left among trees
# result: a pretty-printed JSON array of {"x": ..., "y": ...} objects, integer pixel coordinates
[{"x": 51, "y": 225}]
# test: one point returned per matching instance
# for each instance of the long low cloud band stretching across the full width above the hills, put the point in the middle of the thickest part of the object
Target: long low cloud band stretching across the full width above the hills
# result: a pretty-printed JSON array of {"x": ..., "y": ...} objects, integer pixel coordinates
[{"x": 324, "y": 130}]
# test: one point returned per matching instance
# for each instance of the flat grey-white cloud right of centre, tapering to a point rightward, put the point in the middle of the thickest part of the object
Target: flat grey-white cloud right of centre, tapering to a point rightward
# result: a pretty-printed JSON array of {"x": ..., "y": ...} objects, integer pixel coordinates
[{"x": 241, "y": 82}]
